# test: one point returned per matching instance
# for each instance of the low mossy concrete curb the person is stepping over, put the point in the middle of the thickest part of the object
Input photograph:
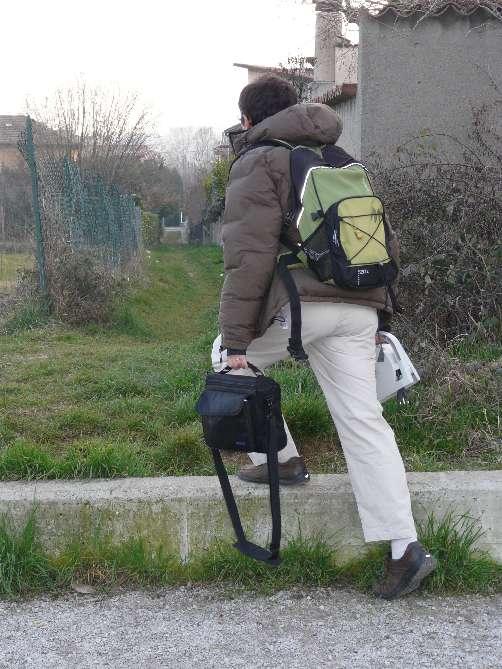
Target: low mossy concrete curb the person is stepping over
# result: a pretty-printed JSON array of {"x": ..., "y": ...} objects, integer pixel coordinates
[{"x": 187, "y": 513}]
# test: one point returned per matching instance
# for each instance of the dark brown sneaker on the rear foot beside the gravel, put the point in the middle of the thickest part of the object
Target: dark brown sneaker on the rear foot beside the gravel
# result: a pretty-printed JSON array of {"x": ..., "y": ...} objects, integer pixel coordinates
[{"x": 405, "y": 575}]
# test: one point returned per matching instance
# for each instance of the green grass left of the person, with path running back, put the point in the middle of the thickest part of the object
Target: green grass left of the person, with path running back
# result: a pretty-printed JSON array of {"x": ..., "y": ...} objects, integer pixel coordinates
[{"x": 104, "y": 402}]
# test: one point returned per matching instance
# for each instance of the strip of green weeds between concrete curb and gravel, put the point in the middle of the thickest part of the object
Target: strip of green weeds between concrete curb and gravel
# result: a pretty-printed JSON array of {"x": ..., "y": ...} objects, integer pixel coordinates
[{"x": 26, "y": 569}]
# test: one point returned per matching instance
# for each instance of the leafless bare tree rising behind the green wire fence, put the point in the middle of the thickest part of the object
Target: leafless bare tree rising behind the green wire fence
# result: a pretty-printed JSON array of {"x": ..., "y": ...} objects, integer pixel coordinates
[{"x": 108, "y": 133}]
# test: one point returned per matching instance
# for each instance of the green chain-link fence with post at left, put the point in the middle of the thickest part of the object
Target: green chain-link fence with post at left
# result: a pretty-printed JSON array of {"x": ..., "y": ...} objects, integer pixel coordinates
[{"x": 54, "y": 210}]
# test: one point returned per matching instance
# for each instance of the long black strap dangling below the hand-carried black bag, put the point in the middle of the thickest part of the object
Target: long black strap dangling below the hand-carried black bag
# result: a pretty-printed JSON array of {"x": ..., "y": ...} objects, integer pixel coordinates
[{"x": 246, "y": 547}]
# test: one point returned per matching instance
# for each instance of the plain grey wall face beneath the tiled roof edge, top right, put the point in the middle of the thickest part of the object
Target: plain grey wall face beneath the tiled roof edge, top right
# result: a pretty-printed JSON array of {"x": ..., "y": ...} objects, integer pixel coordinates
[{"x": 426, "y": 78}]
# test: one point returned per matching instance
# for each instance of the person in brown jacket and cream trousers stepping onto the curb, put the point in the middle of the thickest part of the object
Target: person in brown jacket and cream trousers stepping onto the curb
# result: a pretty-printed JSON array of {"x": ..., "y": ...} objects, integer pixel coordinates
[{"x": 338, "y": 325}]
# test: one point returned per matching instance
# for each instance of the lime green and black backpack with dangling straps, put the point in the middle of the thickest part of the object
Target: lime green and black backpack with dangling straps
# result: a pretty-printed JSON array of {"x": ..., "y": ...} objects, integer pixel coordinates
[{"x": 341, "y": 230}]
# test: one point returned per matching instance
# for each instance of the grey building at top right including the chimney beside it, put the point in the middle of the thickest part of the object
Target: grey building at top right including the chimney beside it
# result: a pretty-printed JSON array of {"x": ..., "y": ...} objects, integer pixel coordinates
[{"x": 422, "y": 67}]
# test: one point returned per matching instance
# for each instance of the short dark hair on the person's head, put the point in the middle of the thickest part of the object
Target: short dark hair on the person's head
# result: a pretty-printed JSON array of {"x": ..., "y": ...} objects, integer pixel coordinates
[{"x": 265, "y": 97}]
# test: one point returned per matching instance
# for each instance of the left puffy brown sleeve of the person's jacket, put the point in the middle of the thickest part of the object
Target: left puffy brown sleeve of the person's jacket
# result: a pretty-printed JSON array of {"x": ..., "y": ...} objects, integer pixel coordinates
[{"x": 251, "y": 229}]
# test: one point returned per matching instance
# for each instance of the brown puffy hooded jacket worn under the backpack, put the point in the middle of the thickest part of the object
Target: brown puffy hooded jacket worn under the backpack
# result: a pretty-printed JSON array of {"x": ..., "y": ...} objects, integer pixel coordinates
[{"x": 256, "y": 200}]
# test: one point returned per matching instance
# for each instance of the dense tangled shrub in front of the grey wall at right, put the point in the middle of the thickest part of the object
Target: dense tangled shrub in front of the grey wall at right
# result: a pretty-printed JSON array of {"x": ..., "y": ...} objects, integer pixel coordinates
[{"x": 447, "y": 215}]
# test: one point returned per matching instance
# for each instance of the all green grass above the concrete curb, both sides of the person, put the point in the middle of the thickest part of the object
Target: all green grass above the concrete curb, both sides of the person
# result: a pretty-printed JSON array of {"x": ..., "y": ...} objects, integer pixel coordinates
[{"x": 119, "y": 401}]
